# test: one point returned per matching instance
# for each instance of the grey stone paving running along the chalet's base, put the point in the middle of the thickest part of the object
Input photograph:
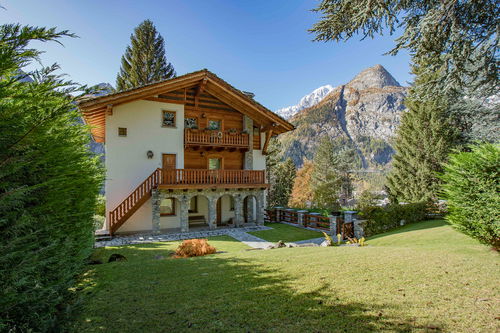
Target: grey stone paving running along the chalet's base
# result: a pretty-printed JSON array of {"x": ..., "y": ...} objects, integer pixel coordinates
[{"x": 237, "y": 233}]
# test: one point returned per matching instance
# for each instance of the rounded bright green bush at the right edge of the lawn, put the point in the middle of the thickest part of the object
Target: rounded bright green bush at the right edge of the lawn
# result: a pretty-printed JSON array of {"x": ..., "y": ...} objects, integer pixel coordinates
[{"x": 472, "y": 190}]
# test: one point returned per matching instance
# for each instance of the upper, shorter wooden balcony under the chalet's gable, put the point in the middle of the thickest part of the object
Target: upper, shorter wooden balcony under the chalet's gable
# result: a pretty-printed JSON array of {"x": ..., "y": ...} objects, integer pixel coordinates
[{"x": 209, "y": 139}]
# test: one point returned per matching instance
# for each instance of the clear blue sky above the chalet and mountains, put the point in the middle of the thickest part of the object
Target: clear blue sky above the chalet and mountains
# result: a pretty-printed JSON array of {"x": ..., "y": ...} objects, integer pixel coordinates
[{"x": 258, "y": 46}]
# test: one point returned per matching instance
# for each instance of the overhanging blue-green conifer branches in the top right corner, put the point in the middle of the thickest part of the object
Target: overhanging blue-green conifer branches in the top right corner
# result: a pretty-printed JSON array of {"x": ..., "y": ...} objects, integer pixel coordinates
[{"x": 461, "y": 36}]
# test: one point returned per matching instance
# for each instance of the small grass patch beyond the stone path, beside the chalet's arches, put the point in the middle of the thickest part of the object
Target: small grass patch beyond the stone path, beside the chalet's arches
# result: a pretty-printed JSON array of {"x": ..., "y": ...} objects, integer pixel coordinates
[{"x": 286, "y": 233}]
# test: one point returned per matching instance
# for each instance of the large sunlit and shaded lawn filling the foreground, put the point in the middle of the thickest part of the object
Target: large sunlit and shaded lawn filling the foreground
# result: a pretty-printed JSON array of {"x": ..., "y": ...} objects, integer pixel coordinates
[{"x": 424, "y": 277}]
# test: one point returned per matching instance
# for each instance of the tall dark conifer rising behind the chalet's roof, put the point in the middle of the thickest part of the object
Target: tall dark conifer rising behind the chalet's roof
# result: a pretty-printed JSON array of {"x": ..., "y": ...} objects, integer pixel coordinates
[{"x": 144, "y": 60}]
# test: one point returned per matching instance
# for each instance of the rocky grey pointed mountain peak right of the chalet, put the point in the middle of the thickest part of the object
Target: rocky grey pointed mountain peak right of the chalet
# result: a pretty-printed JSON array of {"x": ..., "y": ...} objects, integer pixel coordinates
[{"x": 363, "y": 114}]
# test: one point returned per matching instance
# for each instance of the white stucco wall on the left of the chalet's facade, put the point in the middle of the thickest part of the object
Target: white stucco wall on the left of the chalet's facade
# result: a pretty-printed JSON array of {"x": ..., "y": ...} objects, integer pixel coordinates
[{"x": 127, "y": 165}]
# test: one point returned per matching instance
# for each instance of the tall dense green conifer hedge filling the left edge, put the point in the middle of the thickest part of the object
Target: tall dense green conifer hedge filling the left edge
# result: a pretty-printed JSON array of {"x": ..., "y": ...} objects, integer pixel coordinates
[{"x": 48, "y": 186}]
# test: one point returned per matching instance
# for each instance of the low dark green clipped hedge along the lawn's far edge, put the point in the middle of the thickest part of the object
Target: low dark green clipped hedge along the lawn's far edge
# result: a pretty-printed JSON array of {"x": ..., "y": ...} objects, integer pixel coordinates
[{"x": 382, "y": 219}]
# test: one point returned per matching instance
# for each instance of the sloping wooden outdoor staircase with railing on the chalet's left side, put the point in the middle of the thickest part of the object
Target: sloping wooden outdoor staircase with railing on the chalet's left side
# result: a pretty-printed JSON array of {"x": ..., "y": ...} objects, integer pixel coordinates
[{"x": 133, "y": 202}]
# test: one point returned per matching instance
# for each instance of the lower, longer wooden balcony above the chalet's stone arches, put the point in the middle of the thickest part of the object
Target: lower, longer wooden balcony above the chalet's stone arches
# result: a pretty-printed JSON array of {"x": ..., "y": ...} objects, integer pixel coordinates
[{"x": 202, "y": 178}]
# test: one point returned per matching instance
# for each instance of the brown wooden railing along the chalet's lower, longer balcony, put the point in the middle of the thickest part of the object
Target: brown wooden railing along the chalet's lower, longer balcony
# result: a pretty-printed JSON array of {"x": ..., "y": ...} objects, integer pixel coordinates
[{"x": 212, "y": 177}]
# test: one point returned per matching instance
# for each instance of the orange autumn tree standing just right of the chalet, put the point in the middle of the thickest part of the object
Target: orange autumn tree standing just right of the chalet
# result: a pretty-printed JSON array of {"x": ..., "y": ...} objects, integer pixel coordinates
[{"x": 302, "y": 195}]
